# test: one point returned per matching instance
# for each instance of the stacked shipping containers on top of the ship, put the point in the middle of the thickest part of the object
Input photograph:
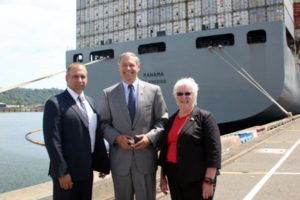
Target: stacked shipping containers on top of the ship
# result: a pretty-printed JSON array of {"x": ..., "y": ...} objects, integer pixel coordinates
[{"x": 102, "y": 22}]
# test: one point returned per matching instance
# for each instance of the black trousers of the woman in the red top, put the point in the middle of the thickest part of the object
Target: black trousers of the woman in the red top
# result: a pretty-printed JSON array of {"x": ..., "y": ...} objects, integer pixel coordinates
[{"x": 180, "y": 188}]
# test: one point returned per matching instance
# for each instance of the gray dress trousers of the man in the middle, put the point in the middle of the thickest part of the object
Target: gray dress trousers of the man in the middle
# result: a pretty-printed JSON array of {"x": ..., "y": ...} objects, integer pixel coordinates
[{"x": 142, "y": 185}]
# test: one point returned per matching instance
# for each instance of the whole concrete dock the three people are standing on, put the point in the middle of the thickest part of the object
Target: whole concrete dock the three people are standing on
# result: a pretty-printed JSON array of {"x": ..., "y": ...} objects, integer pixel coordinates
[{"x": 258, "y": 163}]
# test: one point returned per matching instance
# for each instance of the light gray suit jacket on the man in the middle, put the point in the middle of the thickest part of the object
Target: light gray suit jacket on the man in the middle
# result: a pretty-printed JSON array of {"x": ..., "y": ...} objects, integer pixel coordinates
[{"x": 150, "y": 116}]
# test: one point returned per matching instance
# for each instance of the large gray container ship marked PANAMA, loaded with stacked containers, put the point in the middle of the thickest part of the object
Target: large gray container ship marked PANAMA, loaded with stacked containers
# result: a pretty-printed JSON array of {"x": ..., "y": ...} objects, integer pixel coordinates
[{"x": 242, "y": 53}]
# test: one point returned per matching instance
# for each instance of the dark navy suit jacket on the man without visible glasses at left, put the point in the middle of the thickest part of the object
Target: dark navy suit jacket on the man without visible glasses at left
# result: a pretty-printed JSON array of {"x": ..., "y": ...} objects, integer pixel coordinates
[{"x": 68, "y": 142}]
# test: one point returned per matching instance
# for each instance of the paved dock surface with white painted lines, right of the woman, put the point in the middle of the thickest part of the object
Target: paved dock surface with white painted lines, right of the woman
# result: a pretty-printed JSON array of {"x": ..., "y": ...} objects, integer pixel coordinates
[{"x": 269, "y": 169}]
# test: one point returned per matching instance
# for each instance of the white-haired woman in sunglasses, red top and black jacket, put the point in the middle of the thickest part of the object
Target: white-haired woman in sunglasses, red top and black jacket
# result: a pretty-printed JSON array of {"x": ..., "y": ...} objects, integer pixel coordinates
[{"x": 190, "y": 147}]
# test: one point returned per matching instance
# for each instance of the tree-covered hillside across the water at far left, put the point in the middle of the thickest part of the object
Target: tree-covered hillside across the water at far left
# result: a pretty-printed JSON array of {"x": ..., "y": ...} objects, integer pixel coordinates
[{"x": 28, "y": 97}]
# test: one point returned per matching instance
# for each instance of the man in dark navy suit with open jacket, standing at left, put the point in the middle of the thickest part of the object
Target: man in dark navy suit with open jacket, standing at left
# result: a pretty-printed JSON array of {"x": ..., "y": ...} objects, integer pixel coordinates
[{"x": 73, "y": 140}]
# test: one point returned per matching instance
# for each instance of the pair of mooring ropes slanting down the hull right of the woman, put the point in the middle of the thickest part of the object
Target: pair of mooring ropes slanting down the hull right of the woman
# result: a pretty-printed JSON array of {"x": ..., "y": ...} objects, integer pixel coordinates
[{"x": 240, "y": 70}]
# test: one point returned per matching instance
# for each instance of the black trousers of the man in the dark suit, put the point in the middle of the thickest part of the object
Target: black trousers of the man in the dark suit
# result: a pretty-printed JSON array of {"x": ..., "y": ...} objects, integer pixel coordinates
[{"x": 81, "y": 190}]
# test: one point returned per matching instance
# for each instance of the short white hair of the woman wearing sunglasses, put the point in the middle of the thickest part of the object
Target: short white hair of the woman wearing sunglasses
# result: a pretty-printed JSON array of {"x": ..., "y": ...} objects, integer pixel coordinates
[{"x": 190, "y": 83}]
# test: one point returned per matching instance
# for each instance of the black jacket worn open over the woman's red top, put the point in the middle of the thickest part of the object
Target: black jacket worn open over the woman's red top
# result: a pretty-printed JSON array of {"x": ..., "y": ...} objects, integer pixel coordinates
[{"x": 198, "y": 145}]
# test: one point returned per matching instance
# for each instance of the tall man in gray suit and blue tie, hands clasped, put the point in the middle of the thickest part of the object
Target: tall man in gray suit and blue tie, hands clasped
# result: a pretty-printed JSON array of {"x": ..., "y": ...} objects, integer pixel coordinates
[{"x": 133, "y": 113}]
